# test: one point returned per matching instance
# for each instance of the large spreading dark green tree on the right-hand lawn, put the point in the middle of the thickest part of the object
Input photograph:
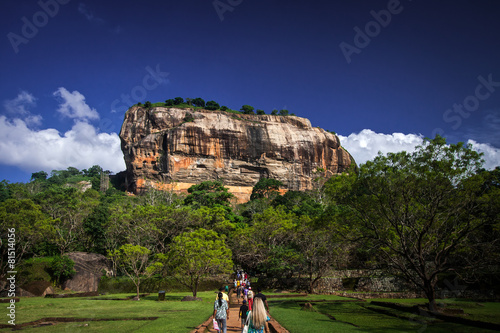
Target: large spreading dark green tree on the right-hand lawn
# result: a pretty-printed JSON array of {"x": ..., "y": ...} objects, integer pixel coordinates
[{"x": 417, "y": 209}]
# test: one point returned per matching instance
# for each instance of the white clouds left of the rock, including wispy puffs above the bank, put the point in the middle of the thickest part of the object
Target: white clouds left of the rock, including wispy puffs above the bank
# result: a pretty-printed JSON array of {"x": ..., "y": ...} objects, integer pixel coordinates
[{"x": 47, "y": 149}]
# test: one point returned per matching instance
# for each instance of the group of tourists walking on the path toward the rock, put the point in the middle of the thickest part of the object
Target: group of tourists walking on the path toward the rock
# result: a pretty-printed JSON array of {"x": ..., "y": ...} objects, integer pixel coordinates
[{"x": 253, "y": 311}]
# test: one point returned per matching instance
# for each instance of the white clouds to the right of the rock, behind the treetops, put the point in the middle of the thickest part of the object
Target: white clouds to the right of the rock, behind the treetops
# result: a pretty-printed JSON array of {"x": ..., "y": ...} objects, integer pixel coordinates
[{"x": 365, "y": 145}]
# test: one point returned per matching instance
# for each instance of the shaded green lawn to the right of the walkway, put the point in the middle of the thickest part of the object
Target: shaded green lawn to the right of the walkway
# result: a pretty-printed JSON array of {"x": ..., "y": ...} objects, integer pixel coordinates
[{"x": 365, "y": 317}]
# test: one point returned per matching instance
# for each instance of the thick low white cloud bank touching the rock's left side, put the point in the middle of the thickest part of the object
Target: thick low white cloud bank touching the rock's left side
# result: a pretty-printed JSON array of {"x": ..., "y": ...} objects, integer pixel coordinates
[{"x": 81, "y": 147}]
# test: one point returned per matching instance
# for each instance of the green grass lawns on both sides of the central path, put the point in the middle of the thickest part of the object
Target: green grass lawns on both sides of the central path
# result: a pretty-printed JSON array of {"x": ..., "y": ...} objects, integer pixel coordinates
[{"x": 331, "y": 314}]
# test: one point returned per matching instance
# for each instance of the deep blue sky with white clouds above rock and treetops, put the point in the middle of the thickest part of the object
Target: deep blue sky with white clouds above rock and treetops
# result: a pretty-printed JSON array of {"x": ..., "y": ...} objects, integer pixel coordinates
[{"x": 269, "y": 54}]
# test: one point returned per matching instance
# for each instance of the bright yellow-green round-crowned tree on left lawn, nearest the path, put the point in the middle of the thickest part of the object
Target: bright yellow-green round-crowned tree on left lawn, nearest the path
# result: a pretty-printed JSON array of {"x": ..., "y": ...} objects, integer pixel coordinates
[{"x": 196, "y": 254}]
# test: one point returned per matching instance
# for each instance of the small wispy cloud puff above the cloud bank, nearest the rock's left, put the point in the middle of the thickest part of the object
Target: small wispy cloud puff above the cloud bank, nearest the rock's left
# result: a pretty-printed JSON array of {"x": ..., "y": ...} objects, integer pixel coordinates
[{"x": 74, "y": 106}]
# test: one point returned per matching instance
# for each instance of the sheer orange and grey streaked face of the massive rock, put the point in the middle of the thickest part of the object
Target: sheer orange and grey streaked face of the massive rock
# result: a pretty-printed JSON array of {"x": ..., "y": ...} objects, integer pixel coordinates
[{"x": 170, "y": 148}]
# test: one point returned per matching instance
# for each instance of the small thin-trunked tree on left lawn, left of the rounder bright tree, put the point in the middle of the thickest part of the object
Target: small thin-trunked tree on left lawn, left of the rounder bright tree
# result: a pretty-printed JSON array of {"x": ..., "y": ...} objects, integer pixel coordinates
[{"x": 134, "y": 261}]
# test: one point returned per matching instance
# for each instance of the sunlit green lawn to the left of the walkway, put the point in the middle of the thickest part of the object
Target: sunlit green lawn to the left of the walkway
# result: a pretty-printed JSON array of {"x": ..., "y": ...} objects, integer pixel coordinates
[{"x": 174, "y": 315}]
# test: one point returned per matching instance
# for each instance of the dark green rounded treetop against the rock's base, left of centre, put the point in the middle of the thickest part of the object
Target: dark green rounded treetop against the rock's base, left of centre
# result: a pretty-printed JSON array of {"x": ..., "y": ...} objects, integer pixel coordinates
[{"x": 208, "y": 193}]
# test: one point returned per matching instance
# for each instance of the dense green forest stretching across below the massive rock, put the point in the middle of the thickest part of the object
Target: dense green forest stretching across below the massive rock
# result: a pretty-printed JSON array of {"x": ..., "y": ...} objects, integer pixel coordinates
[{"x": 420, "y": 215}]
